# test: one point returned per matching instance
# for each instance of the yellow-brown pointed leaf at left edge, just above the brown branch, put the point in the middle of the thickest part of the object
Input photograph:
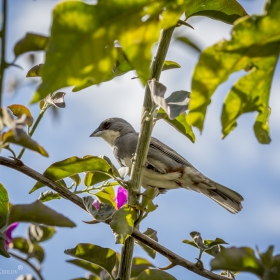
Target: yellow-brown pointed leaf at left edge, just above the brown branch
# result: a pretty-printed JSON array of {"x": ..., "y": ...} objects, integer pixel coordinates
[{"x": 22, "y": 139}]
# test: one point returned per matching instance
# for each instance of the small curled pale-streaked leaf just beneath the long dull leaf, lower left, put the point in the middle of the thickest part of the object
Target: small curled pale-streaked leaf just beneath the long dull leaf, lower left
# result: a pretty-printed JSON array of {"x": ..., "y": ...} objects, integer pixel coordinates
[{"x": 38, "y": 234}]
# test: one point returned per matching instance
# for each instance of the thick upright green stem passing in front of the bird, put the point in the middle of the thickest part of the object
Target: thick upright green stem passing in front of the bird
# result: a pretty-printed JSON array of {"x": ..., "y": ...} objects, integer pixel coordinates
[{"x": 142, "y": 148}]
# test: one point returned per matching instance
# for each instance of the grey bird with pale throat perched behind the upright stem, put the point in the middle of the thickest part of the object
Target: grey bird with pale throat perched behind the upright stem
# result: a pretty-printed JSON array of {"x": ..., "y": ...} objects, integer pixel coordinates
[{"x": 164, "y": 168}]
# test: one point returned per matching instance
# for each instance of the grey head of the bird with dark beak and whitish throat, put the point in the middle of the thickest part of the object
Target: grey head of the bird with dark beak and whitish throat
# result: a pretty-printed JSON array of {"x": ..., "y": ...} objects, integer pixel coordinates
[{"x": 111, "y": 129}]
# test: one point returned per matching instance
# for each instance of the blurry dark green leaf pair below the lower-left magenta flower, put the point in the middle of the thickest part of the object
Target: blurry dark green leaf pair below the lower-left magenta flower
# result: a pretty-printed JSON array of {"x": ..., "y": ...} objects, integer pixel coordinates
[{"x": 22, "y": 245}]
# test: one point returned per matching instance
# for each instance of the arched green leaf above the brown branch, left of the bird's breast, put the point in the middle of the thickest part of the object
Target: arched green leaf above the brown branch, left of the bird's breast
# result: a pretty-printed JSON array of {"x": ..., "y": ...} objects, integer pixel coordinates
[{"x": 74, "y": 165}]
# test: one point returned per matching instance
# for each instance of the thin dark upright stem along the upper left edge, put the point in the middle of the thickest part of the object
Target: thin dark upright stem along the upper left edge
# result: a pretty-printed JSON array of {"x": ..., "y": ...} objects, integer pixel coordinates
[{"x": 3, "y": 47}]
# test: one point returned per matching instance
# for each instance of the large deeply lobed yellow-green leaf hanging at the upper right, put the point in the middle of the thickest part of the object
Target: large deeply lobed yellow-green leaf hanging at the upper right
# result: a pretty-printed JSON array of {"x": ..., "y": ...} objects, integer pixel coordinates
[{"x": 254, "y": 47}]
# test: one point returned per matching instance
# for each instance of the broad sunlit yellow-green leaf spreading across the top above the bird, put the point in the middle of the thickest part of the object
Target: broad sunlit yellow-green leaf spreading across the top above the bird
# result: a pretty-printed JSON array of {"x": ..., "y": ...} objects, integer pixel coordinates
[{"x": 82, "y": 37}]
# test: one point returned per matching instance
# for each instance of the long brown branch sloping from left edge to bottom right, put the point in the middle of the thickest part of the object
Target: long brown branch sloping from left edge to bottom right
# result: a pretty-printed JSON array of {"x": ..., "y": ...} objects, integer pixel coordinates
[{"x": 174, "y": 258}]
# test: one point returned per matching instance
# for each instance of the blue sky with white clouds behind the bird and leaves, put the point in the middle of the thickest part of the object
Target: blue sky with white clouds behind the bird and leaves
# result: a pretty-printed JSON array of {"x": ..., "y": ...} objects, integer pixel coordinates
[{"x": 239, "y": 161}]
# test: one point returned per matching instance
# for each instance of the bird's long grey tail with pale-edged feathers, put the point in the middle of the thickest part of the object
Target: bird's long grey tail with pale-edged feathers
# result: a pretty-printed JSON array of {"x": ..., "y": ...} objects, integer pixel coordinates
[{"x": 224, "y": 196}]
